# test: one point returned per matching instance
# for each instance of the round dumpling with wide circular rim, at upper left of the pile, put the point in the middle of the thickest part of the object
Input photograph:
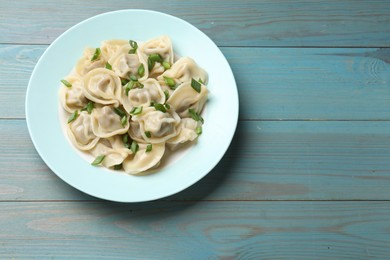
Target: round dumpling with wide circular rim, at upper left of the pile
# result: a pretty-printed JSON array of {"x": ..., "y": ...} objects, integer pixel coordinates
[{"x": 102, "y": 86}]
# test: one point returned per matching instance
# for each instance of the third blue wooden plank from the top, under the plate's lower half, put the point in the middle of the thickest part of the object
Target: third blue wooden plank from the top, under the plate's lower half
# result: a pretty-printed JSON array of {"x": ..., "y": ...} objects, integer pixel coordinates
[{"x": 266, "y": 161}]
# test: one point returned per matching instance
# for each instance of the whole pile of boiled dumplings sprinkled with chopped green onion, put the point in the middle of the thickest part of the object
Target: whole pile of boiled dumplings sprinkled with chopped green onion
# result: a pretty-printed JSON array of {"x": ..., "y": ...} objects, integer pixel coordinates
[{"x": 127, "y": 101}]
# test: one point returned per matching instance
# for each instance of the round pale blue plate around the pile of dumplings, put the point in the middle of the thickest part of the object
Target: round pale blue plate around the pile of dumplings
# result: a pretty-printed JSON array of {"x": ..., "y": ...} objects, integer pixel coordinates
[{"x": 42, "y": 109}]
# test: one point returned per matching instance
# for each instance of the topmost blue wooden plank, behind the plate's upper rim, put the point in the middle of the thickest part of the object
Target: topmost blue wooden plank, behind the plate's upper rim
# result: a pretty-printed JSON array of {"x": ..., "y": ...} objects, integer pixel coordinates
[{"x": 233, "y": 23}]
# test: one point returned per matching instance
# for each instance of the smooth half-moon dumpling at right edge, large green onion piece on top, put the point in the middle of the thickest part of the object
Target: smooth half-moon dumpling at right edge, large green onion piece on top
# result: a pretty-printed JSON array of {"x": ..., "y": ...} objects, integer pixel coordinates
[{"x": 185, "y": 97}]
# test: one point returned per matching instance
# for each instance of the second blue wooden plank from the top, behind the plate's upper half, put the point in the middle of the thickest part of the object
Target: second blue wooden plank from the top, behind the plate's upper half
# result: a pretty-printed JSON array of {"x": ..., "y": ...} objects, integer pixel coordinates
[{"x": 273, "y": 83}]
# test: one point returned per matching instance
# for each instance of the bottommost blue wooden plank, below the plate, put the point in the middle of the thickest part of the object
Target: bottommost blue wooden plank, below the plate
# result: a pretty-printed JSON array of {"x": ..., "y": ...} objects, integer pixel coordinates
[{"x": 196, "y": 230}]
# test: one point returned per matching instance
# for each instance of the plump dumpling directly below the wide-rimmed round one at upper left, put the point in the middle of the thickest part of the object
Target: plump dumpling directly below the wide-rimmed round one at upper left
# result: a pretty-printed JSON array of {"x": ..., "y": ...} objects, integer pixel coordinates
[{"x": 106, "y": 122}]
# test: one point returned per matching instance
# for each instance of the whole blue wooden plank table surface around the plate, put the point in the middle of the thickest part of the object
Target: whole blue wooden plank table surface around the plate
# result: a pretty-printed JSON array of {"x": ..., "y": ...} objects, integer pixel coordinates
[{"x": 307, "y": 175}]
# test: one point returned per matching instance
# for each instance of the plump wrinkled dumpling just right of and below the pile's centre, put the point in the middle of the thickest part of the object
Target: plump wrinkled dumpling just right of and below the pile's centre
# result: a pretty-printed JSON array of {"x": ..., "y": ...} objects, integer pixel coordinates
[{"x": 156, "y": 126}]
